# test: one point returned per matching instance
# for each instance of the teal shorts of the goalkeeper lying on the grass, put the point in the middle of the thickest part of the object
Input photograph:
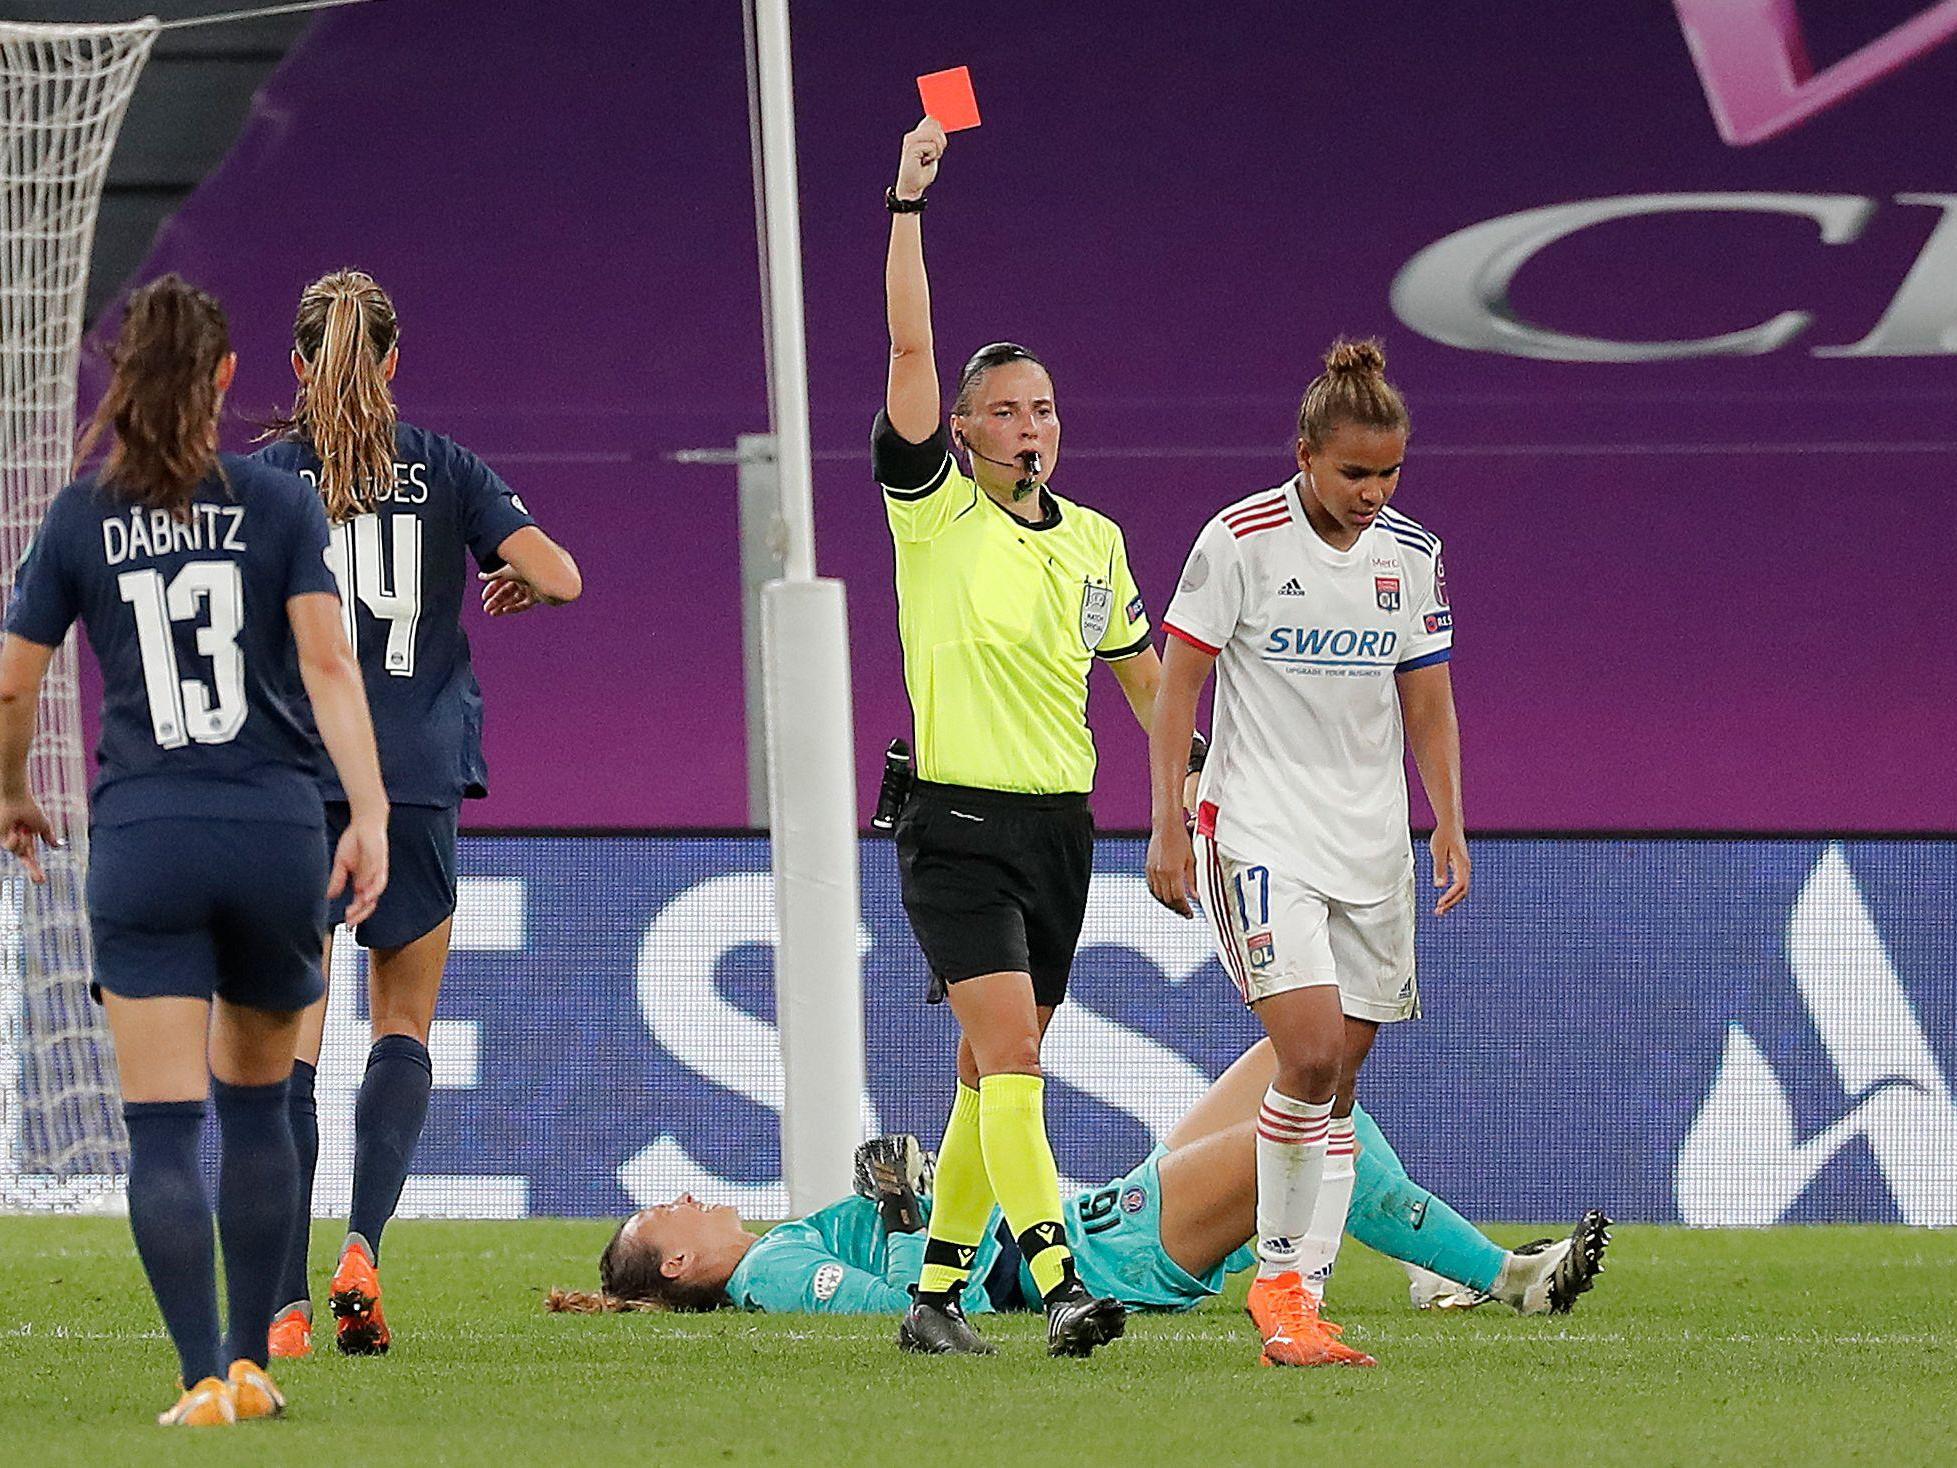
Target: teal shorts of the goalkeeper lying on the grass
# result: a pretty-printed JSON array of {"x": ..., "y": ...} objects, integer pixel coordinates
[{"x": 1116, "y": 1236}]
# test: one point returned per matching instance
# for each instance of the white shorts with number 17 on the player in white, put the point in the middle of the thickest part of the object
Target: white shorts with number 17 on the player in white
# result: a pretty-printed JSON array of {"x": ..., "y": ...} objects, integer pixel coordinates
[{"x": 1275, "y": 935}]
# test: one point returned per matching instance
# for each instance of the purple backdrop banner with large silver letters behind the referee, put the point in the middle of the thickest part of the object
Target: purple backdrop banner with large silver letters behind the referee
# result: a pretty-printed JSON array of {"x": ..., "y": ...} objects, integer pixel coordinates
[{"x": 1668, "y": 295}]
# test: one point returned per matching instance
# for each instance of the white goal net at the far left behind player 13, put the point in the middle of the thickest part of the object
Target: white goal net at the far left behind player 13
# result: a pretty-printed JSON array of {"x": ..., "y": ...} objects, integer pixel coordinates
[{"x": 64, "y": 93}]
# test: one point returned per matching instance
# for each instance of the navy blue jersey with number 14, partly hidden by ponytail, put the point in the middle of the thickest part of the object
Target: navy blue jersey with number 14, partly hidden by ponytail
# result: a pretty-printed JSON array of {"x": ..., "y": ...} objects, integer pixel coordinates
[{"x": 402, "y": 580}]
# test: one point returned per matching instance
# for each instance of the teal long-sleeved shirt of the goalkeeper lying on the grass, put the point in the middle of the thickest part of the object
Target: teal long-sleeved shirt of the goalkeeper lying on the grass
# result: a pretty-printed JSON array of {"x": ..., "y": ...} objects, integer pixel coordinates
[{"x": 839, "y": 1262}]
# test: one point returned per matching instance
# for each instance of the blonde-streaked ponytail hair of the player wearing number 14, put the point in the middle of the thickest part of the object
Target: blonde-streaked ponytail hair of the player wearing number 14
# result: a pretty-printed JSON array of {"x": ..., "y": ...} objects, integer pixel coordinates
[{"x": 345, "y": 410}]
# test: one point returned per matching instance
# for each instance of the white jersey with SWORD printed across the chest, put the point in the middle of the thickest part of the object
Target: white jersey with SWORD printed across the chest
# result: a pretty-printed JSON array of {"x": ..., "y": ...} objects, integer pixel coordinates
[{"x": 1308, "y": 757}]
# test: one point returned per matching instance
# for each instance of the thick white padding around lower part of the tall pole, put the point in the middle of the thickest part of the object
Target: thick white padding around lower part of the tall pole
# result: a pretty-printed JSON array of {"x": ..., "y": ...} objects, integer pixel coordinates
[{"x": 819, "y": 966}]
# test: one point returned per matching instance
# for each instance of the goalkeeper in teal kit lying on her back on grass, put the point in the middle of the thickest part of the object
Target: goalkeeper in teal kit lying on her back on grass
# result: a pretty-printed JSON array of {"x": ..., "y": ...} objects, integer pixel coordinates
[{"x": 1163, "y": 1238}]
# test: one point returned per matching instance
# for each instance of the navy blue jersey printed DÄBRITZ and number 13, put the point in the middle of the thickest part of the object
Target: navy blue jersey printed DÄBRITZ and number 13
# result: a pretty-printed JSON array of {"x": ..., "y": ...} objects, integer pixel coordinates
[{"x": 203, "y": 706}]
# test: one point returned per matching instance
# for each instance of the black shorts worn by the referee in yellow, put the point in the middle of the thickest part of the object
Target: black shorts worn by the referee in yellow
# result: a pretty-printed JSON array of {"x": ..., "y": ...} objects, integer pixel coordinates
[{"x": 997, "y": 882}]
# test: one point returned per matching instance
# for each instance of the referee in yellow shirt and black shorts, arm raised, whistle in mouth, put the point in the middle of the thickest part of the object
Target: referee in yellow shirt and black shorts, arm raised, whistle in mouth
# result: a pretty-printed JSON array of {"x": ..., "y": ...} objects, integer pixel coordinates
[{"x": 1007, "y": 596}]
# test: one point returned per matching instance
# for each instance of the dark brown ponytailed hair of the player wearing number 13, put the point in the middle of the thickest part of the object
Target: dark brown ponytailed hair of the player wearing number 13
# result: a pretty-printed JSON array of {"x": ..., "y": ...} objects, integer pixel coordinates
[{"x": 161, "y": 402}]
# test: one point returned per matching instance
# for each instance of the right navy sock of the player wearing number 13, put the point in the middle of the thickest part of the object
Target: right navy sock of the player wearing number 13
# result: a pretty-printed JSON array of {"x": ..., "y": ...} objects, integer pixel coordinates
[{"x": 257, "y": 1197}]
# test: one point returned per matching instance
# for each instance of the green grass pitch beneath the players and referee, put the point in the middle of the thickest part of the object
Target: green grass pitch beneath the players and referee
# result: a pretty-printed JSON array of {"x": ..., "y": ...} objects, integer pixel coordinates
[{"x": 1766, "y": 1348}]
